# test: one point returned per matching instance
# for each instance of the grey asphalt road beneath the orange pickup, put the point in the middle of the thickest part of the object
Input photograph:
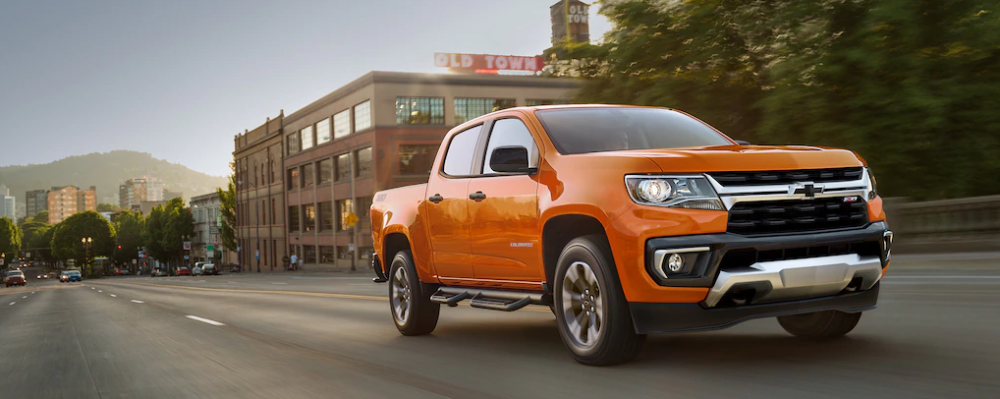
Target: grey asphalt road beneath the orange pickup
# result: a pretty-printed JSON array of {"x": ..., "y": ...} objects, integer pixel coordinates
[{"x": 935, "y": 334}]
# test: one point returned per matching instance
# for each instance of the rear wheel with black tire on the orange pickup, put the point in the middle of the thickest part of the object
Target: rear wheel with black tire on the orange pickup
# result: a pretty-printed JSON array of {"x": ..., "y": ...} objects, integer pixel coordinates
[{"x": 410, "y": 304}]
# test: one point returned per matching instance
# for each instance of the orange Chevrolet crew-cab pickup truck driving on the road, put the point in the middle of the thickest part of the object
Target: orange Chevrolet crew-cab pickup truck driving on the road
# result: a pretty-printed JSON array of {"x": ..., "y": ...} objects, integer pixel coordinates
[{"x": 628, "y": 221}]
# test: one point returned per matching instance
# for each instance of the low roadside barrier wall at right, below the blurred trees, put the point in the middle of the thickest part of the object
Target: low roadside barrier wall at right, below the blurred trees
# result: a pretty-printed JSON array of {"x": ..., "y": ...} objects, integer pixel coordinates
[{"x": 955, "y": 225}]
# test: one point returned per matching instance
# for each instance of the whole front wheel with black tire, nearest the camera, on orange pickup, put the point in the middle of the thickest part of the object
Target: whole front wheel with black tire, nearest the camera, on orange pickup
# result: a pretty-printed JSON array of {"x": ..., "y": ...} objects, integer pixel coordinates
[{"x": 616, "y": 340}]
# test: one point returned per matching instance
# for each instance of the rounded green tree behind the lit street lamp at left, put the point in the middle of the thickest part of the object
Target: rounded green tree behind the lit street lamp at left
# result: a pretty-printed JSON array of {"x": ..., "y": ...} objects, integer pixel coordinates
[{"x": 66, "y": 241}]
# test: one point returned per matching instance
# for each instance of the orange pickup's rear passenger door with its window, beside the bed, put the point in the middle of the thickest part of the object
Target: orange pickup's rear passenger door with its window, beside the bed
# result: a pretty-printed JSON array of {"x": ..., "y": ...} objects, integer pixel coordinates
[{"x": 447, "y": 207}]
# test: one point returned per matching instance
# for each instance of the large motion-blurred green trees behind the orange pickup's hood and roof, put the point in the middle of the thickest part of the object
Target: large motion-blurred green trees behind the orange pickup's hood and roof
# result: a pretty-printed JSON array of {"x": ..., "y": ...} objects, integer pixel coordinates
[{"x": 912, "y": 85}]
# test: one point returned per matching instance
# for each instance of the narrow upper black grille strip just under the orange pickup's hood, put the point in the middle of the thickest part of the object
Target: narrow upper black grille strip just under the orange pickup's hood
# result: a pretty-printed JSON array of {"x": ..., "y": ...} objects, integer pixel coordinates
[{"x": 784, "y": 177}]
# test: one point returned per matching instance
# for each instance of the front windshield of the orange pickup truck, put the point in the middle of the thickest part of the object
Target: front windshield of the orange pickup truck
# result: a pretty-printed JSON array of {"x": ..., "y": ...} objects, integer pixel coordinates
[{"x": 582, "y": 130}]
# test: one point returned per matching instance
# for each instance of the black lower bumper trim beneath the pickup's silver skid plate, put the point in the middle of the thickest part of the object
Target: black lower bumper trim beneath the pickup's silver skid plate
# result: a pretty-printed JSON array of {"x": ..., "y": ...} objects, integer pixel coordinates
[{"x": 650, "y": 318}]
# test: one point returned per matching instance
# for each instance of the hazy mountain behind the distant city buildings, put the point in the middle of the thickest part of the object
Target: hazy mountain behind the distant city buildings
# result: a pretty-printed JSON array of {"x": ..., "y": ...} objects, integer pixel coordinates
[{"x": 106, "y": 171}]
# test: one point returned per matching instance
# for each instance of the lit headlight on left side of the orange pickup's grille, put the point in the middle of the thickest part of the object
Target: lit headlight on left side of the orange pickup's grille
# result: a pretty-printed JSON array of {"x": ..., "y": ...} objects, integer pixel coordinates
[{"x": 688, "y": 192}]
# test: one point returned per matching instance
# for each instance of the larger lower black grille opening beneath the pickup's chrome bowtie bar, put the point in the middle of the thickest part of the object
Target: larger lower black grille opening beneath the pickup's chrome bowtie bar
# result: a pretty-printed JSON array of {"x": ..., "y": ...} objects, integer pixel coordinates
[{"x": 793, "y": 216}]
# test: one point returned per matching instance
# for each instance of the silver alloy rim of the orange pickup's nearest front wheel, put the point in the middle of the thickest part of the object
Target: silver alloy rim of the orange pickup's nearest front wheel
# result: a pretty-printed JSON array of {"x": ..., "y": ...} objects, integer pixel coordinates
[{"x": 582, "y": 305}]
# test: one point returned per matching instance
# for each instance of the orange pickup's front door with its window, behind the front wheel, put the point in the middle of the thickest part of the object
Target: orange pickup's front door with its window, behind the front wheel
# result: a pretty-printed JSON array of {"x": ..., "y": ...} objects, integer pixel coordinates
[{"x": 503, "y": 208}]
